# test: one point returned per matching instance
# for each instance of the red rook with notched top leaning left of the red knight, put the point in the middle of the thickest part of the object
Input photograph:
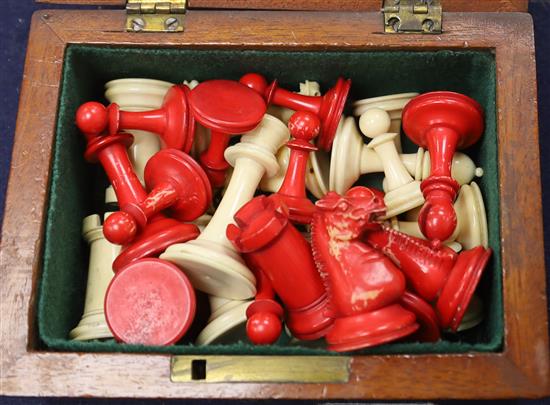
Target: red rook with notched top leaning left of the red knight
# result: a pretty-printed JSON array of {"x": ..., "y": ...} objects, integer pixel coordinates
[{"x": 270, "y": 244}]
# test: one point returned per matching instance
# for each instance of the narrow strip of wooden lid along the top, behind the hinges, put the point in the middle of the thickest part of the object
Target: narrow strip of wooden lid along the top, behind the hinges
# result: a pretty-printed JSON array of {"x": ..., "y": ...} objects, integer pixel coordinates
[{"x": 341, "y": 5}]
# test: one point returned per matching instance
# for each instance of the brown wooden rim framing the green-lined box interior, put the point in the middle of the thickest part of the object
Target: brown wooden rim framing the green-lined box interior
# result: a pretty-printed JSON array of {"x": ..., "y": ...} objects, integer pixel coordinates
[{"x": 520, "y": 370}]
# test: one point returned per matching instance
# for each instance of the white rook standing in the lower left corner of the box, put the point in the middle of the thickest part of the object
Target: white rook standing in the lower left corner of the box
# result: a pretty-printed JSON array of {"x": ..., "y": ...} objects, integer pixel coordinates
[{"x": 102, "y": 254}]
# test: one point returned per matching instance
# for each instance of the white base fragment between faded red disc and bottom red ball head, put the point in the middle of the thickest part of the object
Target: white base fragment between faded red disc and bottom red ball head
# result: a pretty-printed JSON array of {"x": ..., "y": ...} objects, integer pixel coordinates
[{"x": 228, "y": 327}]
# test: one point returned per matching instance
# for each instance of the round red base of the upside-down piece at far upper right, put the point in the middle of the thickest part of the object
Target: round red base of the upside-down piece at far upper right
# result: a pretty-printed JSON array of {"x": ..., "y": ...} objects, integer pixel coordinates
[{"x": 443, "y": 108}]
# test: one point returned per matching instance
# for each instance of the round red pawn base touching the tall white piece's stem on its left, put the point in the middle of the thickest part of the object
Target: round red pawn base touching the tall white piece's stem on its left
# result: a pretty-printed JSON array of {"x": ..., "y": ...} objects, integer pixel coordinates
[{"x": 185, "y": 174}]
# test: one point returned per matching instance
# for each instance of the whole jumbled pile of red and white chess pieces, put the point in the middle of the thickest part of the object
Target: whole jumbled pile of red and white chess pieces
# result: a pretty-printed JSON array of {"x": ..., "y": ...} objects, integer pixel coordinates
[{"x": 344, "y": 266}]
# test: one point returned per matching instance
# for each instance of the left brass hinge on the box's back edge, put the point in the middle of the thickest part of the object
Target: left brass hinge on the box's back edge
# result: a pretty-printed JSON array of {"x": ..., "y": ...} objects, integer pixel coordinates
[{"x": 155, "y": 15}]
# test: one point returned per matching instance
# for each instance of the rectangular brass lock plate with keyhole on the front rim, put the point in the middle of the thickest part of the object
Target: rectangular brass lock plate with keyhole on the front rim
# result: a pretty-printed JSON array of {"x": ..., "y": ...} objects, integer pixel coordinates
[{"x": 268, "y": 369}]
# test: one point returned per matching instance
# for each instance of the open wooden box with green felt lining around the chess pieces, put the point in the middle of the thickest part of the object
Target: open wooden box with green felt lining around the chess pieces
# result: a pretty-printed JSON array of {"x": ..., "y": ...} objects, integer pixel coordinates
[{"x": 516, "y": 364}]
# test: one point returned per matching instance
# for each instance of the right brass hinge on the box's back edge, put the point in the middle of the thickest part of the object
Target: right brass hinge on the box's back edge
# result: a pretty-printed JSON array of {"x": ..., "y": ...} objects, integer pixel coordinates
[{"x": 407, "y": 16}]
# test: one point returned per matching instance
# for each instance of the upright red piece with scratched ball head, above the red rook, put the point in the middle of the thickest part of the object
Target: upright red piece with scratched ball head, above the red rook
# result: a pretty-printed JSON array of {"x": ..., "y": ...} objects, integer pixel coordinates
[{"x": 303, "y": 126}]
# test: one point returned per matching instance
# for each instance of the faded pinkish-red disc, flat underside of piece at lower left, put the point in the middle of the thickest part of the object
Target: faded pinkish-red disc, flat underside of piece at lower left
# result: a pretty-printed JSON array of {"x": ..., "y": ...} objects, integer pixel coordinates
[{"x": 150, "y": 302}]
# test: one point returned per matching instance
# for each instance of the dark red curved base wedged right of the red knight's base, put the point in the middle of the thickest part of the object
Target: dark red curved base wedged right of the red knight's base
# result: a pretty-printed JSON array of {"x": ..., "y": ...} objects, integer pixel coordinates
[{"x": 426, "y": 317}]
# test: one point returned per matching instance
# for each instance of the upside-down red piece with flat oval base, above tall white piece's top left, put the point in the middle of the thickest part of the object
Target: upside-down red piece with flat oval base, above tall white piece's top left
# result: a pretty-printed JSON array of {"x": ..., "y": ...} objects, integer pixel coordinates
[{"x": 227, "y": 108}]
